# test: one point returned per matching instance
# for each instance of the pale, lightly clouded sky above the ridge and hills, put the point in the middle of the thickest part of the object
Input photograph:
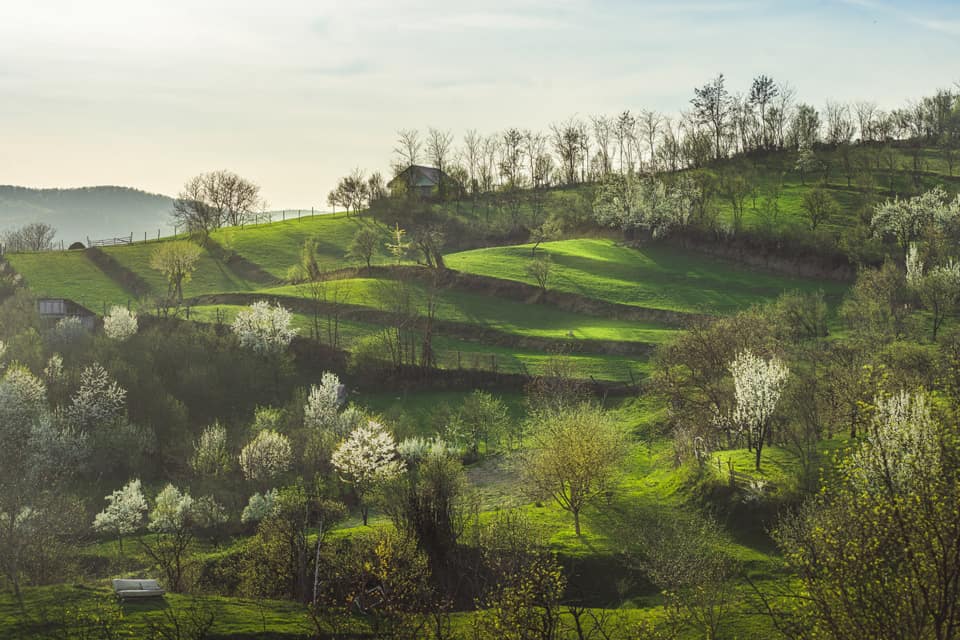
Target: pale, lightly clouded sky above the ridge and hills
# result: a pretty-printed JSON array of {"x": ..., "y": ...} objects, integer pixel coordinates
[{"x": 293, "y": 94}]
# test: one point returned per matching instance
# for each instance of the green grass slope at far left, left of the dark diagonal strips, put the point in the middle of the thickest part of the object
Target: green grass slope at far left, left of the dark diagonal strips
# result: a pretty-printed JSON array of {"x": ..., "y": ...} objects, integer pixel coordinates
[{"x": 69, "y": 274}]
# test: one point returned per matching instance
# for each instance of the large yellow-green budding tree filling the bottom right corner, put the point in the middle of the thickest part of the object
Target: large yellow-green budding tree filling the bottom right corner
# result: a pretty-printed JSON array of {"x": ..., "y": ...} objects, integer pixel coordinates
[{"x": 877, "y": 552}]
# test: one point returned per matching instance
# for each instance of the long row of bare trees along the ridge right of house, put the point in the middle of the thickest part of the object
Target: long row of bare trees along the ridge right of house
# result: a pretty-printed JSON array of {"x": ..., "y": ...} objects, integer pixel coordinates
[{"x": 719, "y": 124}]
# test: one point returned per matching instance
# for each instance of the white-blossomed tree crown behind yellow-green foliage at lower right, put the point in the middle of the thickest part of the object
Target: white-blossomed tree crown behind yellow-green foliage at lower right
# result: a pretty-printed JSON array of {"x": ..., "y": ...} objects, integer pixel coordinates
[{"x": 901, "y": 444}]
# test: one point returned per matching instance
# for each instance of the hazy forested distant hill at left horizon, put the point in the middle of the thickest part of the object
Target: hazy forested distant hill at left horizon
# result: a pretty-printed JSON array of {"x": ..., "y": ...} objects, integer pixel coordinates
[{"x": 94, "y": 212}]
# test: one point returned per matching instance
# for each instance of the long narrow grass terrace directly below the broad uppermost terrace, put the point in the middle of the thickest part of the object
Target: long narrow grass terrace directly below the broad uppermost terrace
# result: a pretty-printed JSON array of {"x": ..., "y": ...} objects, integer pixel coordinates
[{"x": 508, "y": 316}]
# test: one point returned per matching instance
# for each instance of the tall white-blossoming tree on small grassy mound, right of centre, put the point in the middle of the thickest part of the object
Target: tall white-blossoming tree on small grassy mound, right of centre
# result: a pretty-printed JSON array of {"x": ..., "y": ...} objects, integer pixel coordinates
[{"x": 758, "y": 384}]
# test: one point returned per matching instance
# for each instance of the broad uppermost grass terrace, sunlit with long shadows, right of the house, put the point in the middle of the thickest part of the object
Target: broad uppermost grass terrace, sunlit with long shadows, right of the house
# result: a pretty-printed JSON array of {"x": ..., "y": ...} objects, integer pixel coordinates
[{"x": 657, "y": 277}]
